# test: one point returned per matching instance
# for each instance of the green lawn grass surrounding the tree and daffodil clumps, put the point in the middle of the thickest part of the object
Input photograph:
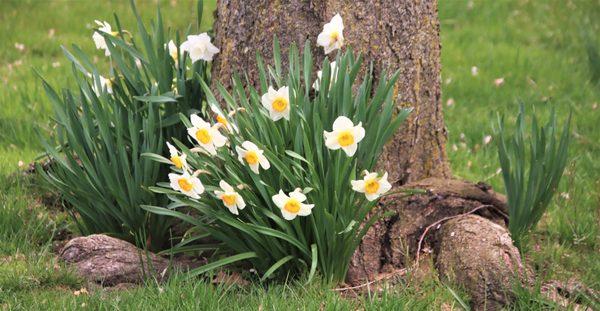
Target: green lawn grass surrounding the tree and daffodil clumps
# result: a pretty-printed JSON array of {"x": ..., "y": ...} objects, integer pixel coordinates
[{"x": 546, "y": 52}]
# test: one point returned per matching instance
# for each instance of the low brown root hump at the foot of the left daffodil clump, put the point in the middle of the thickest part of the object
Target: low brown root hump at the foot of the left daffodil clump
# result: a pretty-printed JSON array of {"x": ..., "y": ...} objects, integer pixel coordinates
[{"x": 108, "y": 261}]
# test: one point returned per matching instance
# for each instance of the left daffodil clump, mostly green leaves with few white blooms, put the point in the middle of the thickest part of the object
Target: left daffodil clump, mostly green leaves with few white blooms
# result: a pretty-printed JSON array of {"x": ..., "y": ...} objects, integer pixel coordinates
[{"x": 109, "y": 119}]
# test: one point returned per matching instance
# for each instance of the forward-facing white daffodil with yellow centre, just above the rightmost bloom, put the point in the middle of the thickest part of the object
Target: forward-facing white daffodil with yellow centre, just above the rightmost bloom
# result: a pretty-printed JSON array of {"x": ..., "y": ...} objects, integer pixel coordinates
[{"x": 344, "y": 135}]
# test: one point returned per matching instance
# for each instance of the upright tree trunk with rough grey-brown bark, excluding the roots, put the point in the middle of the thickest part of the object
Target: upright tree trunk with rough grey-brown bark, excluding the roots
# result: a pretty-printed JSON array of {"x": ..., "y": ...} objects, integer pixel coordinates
[{"x": 395, "y": 35}]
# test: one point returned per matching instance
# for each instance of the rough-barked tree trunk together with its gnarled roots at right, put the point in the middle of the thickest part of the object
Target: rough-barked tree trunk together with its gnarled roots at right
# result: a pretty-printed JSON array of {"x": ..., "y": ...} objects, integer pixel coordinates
[{"x": 404, "y": 35}]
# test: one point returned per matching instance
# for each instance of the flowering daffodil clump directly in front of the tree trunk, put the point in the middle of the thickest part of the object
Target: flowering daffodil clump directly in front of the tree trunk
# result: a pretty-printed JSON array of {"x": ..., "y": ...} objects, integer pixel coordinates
[{"x": 288, "y": 168}]
